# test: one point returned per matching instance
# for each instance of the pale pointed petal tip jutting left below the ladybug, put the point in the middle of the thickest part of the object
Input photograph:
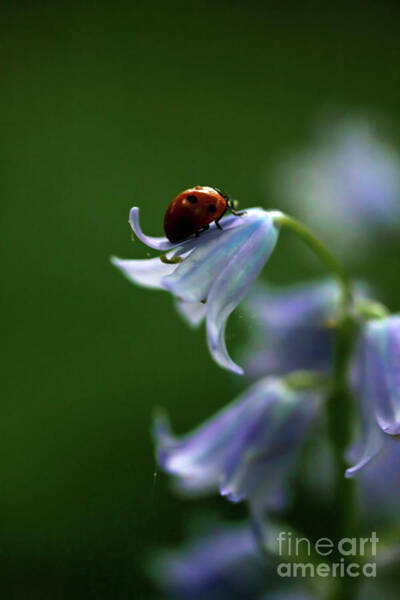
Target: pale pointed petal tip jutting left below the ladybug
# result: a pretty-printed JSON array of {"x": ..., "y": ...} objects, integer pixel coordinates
[{"x": 147, "y": 272}]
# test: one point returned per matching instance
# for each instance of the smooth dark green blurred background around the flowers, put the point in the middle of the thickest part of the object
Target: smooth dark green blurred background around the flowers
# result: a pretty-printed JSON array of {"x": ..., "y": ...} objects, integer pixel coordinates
[{"x": 104, "y": 106}]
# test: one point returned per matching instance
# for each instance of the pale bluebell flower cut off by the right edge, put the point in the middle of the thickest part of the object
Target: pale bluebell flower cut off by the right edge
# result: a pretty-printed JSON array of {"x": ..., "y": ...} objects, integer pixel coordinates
[{"x": 377, "y": 386}]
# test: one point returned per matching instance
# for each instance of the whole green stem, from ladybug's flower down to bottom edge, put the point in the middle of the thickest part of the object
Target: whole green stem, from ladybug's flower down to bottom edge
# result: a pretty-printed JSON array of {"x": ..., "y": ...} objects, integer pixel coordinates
[{"x": 339, "y": 403}]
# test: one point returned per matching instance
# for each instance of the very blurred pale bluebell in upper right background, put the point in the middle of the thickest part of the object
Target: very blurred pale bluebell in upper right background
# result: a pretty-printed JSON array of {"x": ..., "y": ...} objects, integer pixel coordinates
[{"x": 346, "y": 184}]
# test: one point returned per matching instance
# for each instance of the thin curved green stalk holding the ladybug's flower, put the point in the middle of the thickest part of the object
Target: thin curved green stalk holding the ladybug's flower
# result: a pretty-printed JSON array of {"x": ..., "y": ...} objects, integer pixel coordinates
[{"x": 320, "y": 250}]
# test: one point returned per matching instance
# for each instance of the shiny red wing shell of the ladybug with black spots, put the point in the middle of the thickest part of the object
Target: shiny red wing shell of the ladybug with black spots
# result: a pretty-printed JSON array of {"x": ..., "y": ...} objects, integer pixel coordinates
[{"x": 193, "y": 210}]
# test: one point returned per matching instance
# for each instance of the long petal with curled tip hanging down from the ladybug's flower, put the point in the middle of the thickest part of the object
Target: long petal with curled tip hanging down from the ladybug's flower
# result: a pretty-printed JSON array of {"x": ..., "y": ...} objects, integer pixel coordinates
[{"x": 233, "y": 283}]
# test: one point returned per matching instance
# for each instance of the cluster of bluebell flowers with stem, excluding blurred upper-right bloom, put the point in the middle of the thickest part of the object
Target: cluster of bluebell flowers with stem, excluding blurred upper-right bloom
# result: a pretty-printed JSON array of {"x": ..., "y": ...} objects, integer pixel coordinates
[{"x": 248, "y": 450}]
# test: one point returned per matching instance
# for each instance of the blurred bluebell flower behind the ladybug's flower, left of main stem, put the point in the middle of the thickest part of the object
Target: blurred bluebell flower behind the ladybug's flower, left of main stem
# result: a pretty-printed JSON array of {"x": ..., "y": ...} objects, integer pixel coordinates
[{"x": 290, "y": 328}]
